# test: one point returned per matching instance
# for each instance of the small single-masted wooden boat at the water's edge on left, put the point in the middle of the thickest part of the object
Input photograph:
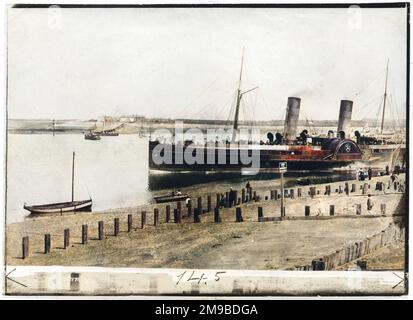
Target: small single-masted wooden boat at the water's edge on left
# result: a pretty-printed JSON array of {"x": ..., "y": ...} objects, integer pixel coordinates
[{"x": 61, "y": 207}]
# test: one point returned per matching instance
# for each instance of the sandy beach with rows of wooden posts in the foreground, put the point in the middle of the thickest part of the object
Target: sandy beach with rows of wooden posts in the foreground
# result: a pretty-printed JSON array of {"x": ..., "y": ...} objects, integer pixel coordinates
[{"x": 230, "y": 245}]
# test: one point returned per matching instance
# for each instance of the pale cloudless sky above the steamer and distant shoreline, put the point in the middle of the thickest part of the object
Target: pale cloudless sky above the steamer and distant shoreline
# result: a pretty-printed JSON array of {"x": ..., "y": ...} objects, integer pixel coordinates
[{"x": 185, "y": 62}]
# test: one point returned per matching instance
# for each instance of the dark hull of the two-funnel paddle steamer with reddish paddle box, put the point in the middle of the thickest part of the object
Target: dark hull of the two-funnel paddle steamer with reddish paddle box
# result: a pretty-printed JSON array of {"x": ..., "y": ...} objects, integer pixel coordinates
[{"x": 339, "y": 153}]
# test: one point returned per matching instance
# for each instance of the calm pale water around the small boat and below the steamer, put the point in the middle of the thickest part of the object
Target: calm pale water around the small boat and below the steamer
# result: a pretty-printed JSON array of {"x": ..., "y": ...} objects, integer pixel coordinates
[{"x": 113, "y": 170}]
